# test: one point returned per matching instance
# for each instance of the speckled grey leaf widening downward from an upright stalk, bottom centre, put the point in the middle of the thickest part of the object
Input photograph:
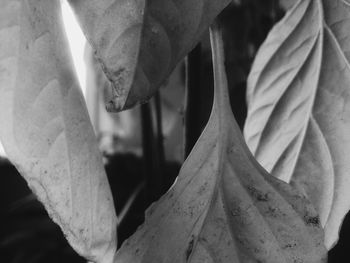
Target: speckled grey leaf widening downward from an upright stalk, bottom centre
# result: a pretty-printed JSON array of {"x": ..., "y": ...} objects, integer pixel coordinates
[{"x": 224, "y": 207}]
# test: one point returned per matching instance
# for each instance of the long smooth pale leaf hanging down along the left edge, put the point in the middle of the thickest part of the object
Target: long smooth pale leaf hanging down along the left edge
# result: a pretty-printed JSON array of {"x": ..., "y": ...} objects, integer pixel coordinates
[{"x": 45, "y": 128}]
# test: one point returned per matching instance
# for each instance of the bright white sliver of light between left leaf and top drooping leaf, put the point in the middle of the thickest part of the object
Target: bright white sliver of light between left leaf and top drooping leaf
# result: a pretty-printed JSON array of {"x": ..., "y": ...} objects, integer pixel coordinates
[{"x": 76, "y": 41}]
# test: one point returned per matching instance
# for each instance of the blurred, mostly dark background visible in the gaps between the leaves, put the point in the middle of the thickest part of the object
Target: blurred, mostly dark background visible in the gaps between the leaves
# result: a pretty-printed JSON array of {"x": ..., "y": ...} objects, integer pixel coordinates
[{"x": 143, "y": 148}]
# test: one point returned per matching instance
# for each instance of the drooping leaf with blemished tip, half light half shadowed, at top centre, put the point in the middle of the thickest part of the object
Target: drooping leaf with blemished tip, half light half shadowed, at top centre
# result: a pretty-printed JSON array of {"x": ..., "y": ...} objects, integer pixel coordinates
[{"x": 139, "y": 42}]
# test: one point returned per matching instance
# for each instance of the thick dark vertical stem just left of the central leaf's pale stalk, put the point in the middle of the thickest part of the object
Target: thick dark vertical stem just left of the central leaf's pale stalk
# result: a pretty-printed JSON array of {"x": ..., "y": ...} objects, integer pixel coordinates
[{"x": 193, "y": 102}]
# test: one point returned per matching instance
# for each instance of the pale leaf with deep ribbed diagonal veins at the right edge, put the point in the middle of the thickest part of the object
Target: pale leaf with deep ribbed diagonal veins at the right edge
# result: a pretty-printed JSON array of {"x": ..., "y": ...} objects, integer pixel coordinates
[{"x": 298, "y": 106}]
